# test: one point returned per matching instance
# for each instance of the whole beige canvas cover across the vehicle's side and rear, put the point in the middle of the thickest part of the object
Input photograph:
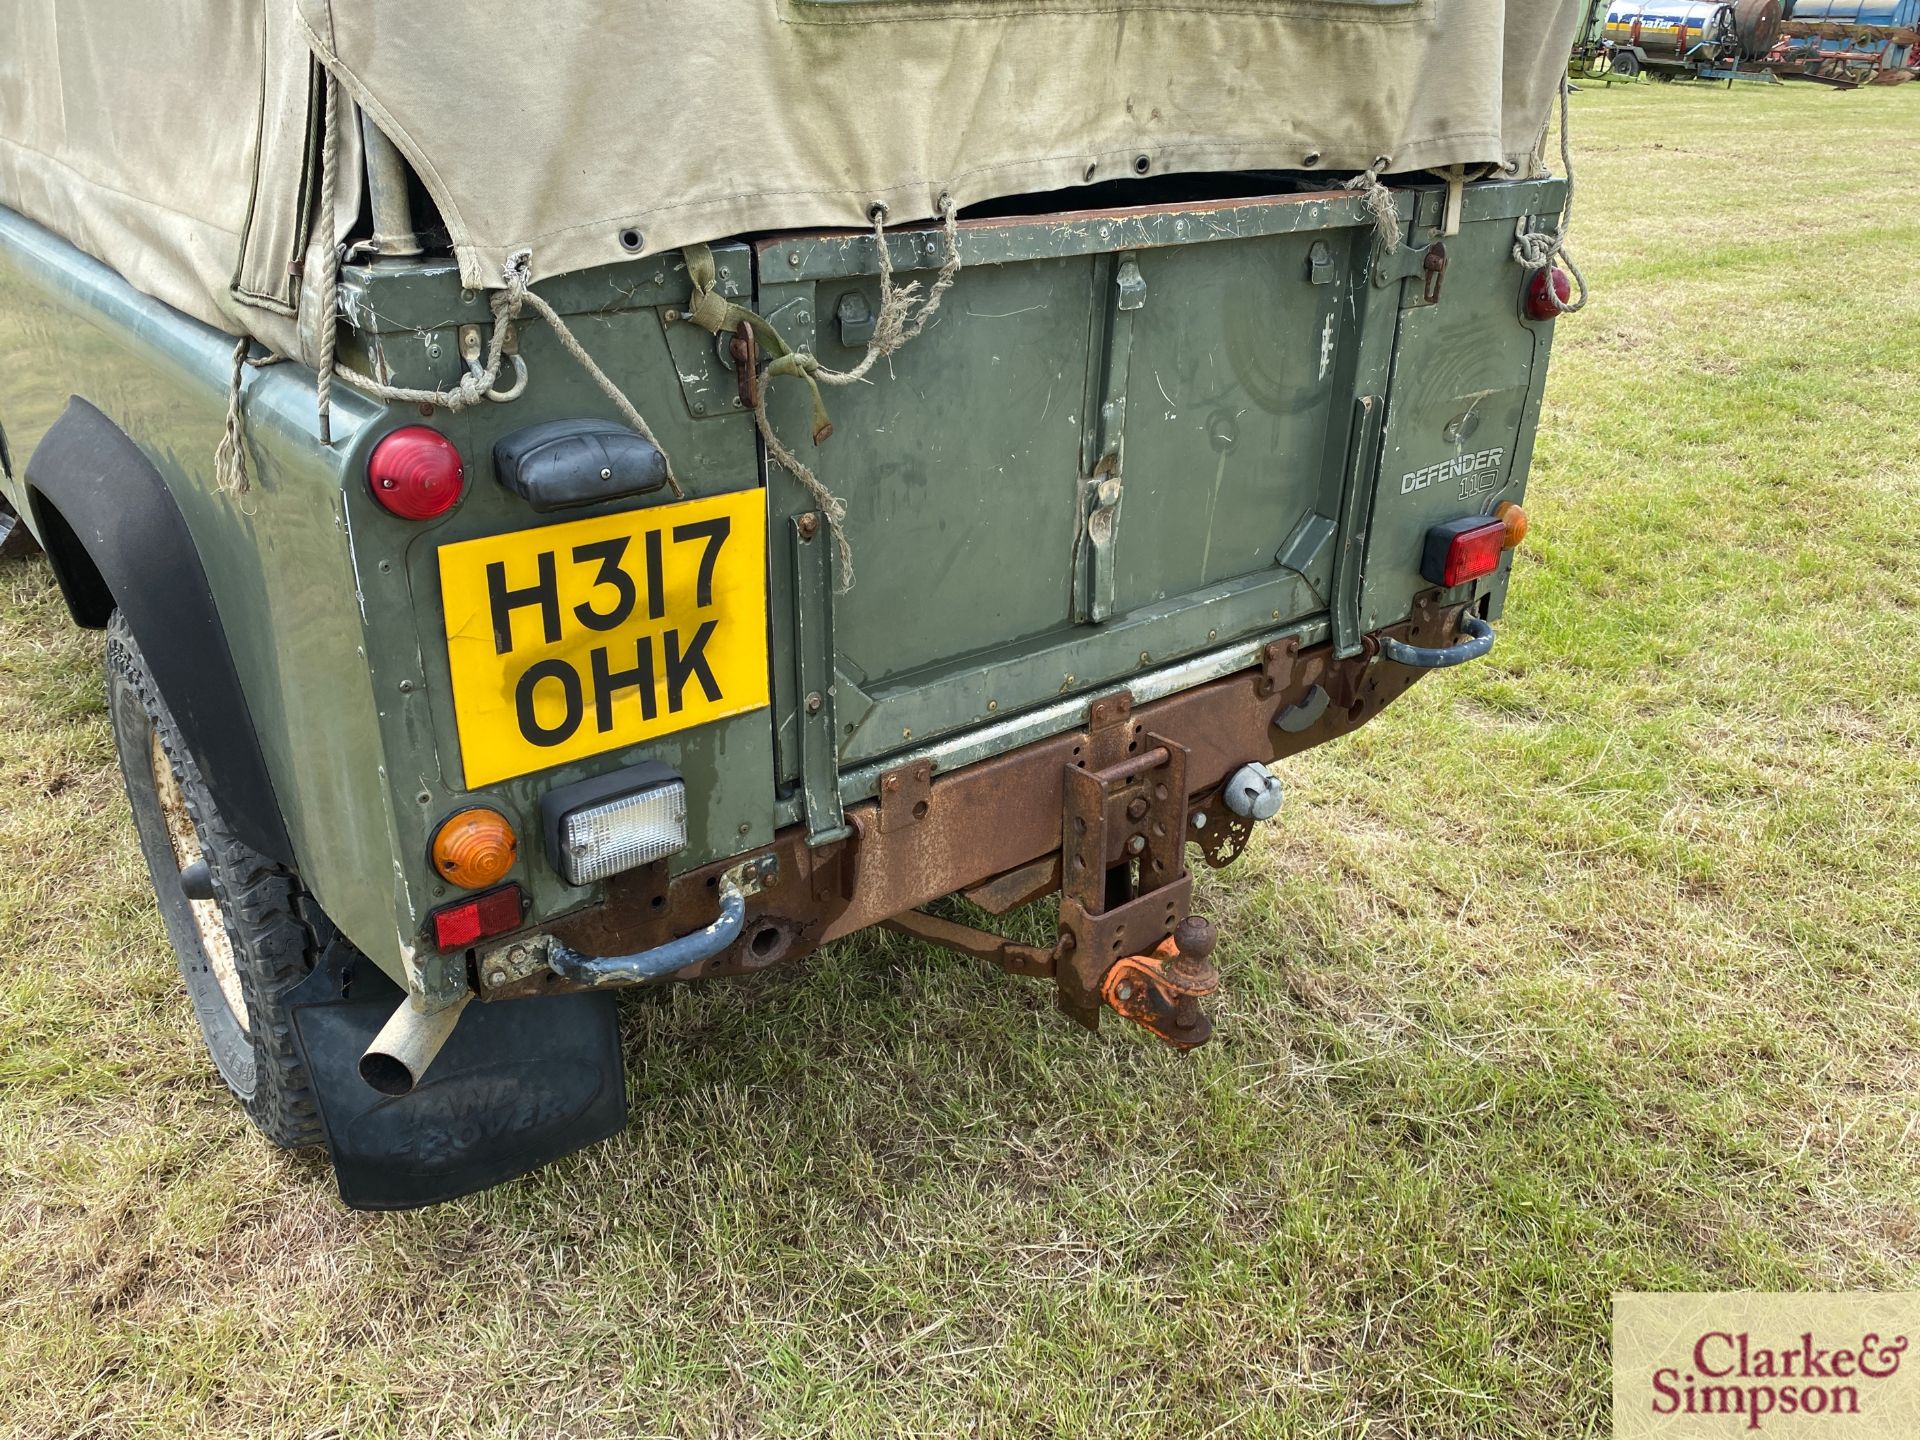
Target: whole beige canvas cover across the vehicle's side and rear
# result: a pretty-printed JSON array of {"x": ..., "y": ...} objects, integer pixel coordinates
[{"x": 180, "y": 141}]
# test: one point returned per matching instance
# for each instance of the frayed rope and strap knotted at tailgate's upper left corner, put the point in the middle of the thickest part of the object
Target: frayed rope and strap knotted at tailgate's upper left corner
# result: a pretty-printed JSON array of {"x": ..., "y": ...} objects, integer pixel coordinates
[{"x": 900, "y": 320}]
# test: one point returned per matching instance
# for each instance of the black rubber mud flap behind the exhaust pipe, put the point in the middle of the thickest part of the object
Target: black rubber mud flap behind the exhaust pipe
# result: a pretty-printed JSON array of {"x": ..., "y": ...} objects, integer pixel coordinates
[{"x": 519, "y": 1086}]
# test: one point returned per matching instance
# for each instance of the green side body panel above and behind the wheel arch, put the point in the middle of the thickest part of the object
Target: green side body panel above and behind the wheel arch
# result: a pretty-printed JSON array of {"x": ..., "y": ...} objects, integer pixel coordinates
[{"x": 279, "y": 565}]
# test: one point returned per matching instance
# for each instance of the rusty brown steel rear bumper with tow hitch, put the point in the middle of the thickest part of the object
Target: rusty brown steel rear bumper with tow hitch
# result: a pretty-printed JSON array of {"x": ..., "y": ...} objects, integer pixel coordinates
[{"x": 1103, "y": 815}]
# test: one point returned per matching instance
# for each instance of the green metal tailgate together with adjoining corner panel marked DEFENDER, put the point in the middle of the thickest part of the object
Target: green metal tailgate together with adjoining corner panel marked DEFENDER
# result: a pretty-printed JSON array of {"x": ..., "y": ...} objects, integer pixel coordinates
[{"x": 1128, "y": 439}]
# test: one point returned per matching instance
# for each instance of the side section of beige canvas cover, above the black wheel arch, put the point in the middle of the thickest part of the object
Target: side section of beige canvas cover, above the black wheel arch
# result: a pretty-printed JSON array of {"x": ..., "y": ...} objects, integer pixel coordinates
[{"x": 174, "y": 143}]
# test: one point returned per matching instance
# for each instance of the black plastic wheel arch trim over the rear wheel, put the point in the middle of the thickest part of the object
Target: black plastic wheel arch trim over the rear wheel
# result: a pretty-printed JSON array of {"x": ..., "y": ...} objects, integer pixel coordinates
[{"x": 116, "y": 539}]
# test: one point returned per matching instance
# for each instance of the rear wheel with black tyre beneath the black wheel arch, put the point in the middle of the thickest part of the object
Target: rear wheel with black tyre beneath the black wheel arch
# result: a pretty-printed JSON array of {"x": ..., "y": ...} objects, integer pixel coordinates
[{"x": 235, "y": 917}]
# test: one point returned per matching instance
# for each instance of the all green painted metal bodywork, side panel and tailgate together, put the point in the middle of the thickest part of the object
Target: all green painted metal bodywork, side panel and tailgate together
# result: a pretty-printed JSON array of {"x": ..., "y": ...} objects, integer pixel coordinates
[{"x": 1255, "y": 375}]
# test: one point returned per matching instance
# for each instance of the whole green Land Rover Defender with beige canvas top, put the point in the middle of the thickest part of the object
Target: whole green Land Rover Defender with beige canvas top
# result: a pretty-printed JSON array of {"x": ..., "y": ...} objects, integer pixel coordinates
[{"x": 556, "y": 554}]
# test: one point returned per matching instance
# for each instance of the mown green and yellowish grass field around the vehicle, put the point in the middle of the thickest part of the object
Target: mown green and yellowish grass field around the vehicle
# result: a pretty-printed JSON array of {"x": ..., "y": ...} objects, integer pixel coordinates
[{"x": 1587, "y": 969}]
